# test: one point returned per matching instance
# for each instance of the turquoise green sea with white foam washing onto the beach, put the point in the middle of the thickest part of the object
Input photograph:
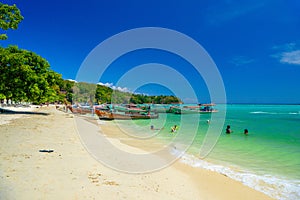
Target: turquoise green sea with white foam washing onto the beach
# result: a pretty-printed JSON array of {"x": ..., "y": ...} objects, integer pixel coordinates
[{"x": 268, "y": 159}]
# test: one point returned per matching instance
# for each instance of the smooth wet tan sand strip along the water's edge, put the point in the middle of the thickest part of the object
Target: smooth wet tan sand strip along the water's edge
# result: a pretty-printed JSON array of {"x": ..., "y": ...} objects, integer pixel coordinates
[{"x": 112, "y": 130}]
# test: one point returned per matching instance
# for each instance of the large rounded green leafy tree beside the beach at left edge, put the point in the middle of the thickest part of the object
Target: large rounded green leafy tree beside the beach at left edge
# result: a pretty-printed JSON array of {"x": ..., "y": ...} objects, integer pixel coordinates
[{"x": 26, "y": 76}]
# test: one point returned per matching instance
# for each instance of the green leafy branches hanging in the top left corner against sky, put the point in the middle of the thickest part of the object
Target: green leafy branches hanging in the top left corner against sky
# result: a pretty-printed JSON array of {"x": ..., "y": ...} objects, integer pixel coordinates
[{"x": 10, "y": 17}]
